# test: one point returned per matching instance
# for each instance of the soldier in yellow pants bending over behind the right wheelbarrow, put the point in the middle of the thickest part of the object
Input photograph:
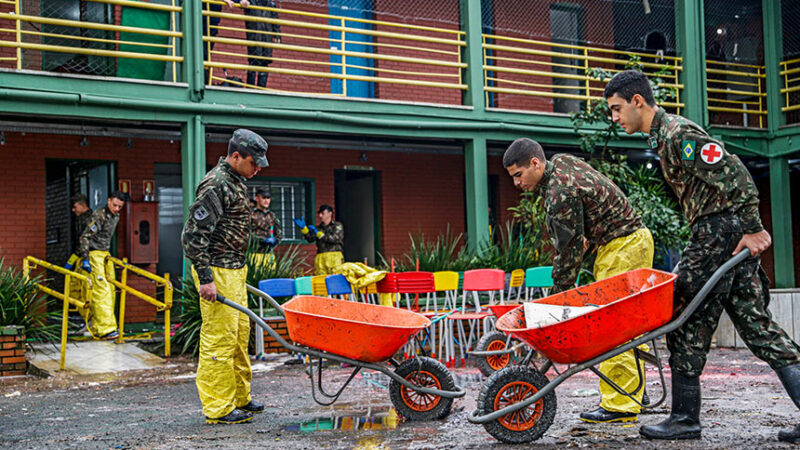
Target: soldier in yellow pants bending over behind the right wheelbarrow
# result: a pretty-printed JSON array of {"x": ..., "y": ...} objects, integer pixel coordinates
[{"x": 584, "y": 207}]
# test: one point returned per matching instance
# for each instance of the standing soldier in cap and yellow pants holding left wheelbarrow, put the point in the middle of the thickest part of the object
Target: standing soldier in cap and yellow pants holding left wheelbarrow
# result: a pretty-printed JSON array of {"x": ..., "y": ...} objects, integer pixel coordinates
[{"x": 215, "y": 239}]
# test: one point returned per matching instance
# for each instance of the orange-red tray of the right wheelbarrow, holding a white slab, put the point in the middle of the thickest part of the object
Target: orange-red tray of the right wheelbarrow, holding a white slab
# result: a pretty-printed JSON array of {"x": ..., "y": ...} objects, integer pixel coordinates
[{"x": 630, "y": 304}]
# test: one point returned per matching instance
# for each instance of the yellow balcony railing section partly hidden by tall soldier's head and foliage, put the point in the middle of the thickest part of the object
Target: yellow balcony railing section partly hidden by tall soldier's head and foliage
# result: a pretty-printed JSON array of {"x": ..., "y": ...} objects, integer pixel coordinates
[{"x": 517, "y": 66}]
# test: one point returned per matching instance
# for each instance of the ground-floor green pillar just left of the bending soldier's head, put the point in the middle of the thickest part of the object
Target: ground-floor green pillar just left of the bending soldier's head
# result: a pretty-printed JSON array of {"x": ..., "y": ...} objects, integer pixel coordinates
[{"x": 477, "y": 193}]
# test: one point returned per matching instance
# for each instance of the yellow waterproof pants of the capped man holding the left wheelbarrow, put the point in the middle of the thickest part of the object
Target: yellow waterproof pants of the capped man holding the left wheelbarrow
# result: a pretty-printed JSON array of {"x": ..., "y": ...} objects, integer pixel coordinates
[{"x": 223, "y": 370}]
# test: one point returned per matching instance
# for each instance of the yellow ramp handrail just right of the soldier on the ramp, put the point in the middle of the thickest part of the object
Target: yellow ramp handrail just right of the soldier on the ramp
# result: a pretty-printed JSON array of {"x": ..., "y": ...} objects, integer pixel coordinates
[{"x": 122, "y": 285}]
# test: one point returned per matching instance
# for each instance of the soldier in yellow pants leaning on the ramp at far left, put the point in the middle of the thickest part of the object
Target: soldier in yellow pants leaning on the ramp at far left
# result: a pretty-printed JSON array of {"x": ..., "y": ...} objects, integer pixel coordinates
[{"x": 95, "y": 241}]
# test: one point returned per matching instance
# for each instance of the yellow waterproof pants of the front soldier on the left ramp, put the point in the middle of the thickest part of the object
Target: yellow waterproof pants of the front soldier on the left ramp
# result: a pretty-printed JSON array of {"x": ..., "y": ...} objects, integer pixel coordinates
[{"x": 101, "y": 307}]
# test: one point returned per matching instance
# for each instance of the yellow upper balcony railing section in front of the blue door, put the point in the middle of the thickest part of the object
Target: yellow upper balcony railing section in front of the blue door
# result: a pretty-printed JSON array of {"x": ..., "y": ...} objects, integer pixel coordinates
[{"x": 307, "y": 46}]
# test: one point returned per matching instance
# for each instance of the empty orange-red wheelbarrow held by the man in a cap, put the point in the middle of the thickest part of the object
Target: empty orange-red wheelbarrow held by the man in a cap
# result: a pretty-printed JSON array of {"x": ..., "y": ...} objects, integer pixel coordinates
[{"x": 366, "y": 337}]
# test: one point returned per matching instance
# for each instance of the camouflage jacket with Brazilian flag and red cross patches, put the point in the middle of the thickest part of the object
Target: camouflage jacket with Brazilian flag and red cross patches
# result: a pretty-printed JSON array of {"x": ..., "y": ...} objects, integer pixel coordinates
[{"x": 705, "y": 177}]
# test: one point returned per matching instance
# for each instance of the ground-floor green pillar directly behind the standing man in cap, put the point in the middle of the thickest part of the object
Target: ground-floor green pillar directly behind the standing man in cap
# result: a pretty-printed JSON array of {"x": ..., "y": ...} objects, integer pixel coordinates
[{"x": 193, "y": 164}]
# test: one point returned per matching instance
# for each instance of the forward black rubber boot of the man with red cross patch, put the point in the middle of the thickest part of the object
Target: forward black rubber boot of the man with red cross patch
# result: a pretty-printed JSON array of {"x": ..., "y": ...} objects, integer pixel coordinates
[{"x": 684, "y": 420}]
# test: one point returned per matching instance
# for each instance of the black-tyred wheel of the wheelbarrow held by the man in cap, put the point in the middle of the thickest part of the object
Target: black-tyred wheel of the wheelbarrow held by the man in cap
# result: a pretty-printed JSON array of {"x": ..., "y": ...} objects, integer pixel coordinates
[{"x": 425, "y": 372}]
